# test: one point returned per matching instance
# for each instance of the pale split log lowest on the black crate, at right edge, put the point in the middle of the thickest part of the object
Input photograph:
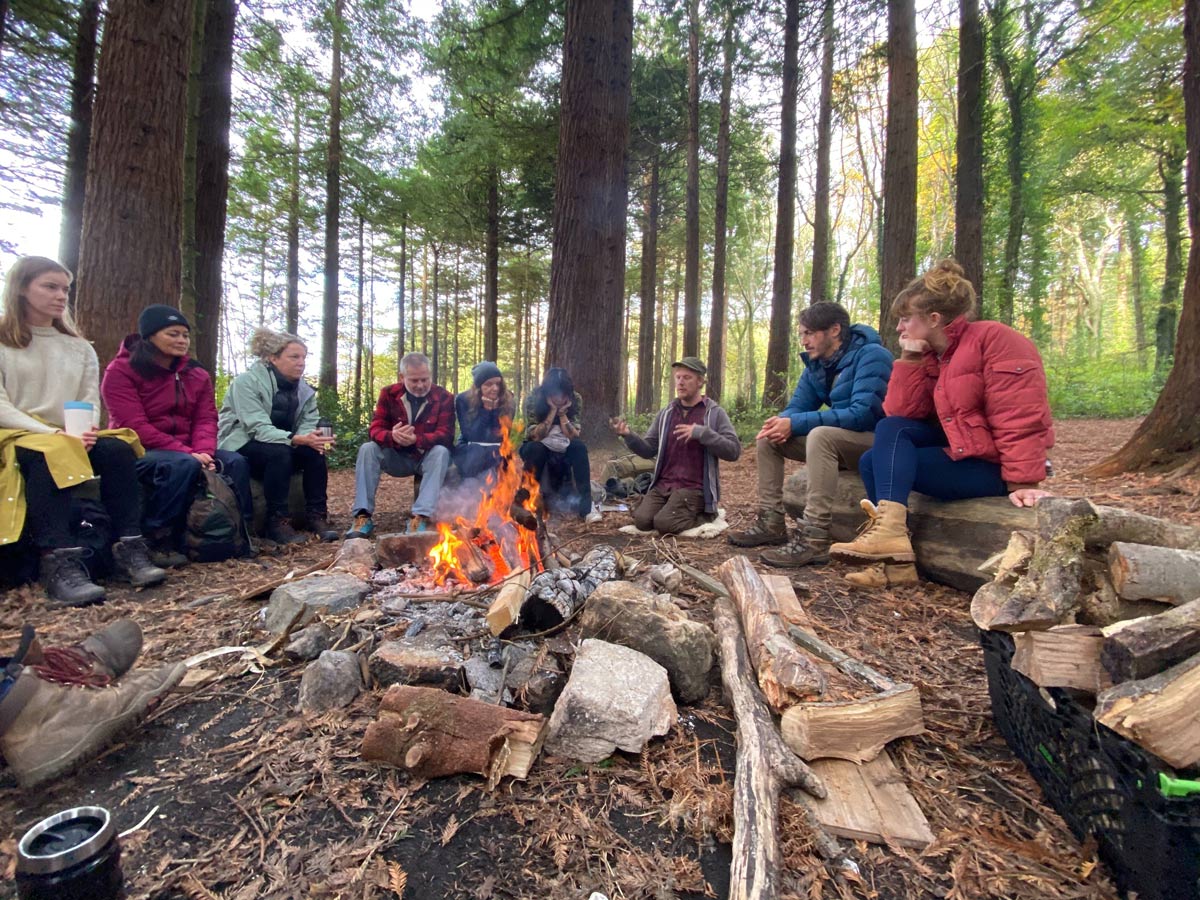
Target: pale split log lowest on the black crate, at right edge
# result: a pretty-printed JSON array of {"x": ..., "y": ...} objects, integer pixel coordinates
[{"x": 1159, "y": 713}]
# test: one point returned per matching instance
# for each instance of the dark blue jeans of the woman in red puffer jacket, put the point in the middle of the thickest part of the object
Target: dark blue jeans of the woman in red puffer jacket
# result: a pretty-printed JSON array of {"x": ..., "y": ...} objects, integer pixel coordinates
[{"x": 909, "y": 457}]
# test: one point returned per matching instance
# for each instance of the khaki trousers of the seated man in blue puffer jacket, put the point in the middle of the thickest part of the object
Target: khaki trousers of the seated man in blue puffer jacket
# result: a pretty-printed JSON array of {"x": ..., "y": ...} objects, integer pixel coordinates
[{"x": 825, "y": 451}]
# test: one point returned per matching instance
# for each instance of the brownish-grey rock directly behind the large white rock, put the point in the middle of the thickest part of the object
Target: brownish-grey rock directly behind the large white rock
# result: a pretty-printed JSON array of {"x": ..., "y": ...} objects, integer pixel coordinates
[{"x": 623, "y": 614}]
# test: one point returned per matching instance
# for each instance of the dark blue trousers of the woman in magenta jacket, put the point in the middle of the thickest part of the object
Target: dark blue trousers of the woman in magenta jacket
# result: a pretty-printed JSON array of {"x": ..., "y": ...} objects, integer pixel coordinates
[{"x": 169, "y": 484}]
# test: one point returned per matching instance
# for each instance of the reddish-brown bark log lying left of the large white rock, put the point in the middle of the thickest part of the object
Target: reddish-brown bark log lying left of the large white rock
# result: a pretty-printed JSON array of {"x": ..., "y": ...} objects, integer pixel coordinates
[{"x": 435, "y": 734}]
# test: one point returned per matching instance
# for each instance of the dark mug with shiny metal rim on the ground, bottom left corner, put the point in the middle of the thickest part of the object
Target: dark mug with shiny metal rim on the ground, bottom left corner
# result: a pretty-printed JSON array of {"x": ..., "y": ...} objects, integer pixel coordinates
[{"x": 74, "y": 855}]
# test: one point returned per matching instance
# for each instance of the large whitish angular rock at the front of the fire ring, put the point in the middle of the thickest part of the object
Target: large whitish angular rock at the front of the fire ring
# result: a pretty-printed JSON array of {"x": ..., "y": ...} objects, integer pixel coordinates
[{"x": 616, "y": 698}]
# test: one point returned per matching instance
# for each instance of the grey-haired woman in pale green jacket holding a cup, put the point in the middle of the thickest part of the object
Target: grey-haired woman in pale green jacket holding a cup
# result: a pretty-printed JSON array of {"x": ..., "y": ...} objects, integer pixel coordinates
[{"x": 269, "y": 417}]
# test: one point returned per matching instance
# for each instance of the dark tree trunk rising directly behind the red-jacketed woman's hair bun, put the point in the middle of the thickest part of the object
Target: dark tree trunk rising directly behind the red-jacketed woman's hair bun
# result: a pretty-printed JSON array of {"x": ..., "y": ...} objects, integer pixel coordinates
[{"x": 969, "y": 176}]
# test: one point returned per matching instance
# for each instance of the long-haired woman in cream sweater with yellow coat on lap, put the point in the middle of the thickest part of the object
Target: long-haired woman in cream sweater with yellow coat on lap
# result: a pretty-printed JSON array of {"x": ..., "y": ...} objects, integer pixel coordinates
[{"x": 46, "y": 364}]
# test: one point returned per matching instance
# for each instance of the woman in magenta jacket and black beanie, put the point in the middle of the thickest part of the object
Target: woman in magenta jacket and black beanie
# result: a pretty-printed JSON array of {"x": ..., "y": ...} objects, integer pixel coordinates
[{"x": 155, "y": 389}]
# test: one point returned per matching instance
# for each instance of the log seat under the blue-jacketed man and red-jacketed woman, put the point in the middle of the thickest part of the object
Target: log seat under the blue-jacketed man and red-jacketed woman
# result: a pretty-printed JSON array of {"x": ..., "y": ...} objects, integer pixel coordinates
[{"x": 952, "y": 541}]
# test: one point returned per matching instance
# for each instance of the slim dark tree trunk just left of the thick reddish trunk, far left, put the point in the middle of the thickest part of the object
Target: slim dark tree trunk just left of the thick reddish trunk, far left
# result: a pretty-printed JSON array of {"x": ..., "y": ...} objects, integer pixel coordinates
[{"x": 83, "y": 95}]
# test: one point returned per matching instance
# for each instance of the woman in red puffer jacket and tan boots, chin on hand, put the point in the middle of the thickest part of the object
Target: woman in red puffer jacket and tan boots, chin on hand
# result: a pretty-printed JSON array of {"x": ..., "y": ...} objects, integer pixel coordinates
[{"x": 967, "y": 416}]
